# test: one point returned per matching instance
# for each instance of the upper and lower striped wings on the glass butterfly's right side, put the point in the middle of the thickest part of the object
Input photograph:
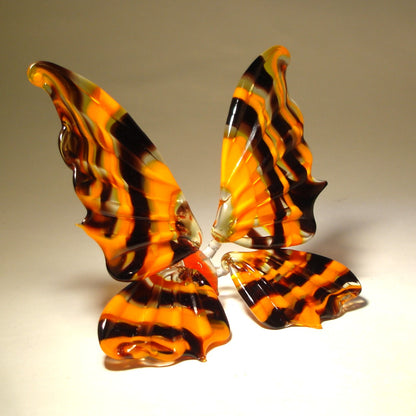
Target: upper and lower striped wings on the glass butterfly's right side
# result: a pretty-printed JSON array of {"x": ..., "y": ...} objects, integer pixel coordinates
[{"x": 266, "y": 202}]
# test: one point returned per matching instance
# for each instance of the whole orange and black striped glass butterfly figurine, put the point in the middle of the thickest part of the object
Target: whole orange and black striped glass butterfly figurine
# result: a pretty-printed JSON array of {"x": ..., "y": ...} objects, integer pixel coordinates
[{"x": 140, "y": 218}]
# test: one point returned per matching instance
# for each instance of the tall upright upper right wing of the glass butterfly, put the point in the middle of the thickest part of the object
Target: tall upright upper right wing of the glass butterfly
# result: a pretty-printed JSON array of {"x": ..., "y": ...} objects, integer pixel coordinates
[{"x": 267, "y": 191}]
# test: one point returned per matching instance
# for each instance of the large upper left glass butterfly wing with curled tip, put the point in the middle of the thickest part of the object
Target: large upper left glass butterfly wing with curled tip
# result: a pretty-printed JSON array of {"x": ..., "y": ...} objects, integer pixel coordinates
[{"x": 136, "y": 211}]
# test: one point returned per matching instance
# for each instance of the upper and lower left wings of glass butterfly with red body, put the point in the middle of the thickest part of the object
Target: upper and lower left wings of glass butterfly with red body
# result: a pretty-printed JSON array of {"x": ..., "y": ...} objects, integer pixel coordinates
[{"x": 138, "y": 215}]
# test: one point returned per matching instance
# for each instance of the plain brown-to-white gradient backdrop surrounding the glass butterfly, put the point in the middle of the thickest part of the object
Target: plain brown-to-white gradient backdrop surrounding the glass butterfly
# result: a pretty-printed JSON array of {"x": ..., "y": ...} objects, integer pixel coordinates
[{"x": 174, "y": 66}]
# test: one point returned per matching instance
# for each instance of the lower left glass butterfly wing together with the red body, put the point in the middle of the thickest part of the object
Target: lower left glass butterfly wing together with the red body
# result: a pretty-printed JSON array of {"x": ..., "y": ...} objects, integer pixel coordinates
[{"x": 166, "y": 317}]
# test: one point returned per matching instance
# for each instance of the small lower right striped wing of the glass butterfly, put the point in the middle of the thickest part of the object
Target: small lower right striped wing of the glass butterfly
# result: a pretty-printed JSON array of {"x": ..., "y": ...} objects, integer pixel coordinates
[{"x": 289, "y": 287}]
